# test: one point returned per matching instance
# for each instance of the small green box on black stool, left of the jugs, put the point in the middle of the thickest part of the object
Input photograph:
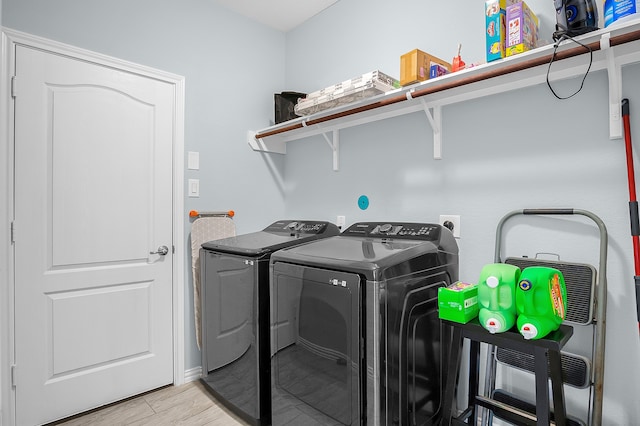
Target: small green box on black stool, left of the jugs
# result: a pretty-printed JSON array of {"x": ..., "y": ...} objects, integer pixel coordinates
[{"x": 458, "y": 302}]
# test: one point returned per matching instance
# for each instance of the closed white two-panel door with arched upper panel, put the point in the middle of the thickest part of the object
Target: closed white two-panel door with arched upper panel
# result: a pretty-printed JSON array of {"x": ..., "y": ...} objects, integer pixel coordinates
[{"x": 93, "y": 198}]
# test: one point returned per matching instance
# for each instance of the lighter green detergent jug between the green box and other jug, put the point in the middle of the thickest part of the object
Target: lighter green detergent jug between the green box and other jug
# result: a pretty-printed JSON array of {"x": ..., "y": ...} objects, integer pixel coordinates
[{"x": 496, "y": 296}]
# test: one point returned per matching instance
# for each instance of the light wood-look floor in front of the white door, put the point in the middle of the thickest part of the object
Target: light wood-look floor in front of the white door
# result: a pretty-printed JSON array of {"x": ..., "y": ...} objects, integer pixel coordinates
[{"x": 189, "y": 404}]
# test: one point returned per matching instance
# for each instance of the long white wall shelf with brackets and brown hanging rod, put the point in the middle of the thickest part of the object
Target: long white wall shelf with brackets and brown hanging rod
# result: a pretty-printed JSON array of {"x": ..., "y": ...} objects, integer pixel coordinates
[{"x": 612, "y": 48}]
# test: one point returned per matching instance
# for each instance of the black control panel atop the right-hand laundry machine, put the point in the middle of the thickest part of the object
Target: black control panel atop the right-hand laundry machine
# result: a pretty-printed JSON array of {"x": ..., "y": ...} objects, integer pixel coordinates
[{"x": 404, "y": 230}]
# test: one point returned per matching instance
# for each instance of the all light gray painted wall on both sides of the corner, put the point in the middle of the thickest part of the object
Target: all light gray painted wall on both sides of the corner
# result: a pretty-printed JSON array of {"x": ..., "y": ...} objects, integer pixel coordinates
[{"x": 502, "y": 152}]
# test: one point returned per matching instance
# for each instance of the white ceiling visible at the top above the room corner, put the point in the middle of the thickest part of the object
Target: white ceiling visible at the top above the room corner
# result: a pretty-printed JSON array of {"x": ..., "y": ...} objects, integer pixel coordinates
[{"x": 282, "y": 15}]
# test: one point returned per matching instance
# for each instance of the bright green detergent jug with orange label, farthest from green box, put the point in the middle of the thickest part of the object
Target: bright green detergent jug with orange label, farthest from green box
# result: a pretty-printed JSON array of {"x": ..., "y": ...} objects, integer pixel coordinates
[{"x": 541, "y": 301}]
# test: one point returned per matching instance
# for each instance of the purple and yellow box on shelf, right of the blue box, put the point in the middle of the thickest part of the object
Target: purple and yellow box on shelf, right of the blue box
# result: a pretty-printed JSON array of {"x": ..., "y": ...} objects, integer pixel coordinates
[{"x": 522, "y": 29}]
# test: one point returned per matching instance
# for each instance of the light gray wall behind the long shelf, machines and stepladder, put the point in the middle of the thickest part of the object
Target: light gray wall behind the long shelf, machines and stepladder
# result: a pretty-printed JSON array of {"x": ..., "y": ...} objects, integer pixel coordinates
[{"x": 517, "y": 150}]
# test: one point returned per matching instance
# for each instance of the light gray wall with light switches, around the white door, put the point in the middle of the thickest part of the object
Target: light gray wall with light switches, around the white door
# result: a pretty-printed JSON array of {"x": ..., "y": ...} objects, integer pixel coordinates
[{"x": 232, "y": 68}]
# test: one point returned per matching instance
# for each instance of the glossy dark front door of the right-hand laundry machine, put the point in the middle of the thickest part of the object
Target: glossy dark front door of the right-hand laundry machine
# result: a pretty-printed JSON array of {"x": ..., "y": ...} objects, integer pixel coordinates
[{"x": 317, "y": 334}]
